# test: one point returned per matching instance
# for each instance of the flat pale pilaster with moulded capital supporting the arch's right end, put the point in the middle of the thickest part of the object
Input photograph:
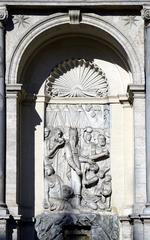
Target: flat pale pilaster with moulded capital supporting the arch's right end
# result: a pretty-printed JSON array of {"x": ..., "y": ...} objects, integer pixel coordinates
[{"x": 137, "y": 97}]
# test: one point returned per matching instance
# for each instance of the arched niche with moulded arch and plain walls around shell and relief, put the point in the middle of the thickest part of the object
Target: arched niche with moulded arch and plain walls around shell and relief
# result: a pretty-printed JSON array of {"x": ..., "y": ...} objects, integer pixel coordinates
[{"x": 35, "y": 57}]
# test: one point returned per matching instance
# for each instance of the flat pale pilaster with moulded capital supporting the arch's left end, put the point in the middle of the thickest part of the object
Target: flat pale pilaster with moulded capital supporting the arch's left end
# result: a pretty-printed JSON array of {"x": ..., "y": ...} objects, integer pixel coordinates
[{"x": 14, "y": 96}]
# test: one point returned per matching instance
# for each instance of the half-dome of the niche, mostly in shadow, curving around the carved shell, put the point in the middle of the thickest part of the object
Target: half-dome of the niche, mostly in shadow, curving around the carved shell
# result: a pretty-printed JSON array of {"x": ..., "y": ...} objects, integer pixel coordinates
[{"x": 53, "y": 52}]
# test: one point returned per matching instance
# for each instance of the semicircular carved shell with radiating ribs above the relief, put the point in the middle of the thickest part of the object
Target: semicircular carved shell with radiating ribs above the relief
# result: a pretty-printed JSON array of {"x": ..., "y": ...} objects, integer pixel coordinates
[{"x": 77, "y": 78}]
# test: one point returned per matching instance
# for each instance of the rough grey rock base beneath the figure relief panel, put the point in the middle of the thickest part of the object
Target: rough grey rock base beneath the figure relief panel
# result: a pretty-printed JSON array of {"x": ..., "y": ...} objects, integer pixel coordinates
[{"x": 52, "y": 226}]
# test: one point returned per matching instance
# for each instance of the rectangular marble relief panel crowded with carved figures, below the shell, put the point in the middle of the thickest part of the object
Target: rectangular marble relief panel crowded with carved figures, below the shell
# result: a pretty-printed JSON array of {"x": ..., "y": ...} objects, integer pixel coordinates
[{"x": 77, "y": 157}]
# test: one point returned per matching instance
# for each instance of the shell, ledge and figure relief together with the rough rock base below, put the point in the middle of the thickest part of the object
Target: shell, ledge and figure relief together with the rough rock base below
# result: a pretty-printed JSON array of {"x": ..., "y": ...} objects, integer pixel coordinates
[{"x": 77, "y": 171}]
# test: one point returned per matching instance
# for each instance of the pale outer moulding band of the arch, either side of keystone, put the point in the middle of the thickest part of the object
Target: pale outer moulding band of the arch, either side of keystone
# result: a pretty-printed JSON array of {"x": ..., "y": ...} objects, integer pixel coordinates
[{"x": 61, "y": 19}]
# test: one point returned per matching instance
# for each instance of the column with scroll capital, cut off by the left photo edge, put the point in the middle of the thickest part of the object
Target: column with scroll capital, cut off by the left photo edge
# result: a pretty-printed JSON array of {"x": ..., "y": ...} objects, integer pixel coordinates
[{"x": 3, "y": 208}]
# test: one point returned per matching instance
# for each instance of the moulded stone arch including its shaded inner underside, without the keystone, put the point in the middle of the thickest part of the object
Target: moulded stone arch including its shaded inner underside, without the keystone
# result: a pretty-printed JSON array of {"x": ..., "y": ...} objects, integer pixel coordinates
[{"x": 57, "y": 25}]
